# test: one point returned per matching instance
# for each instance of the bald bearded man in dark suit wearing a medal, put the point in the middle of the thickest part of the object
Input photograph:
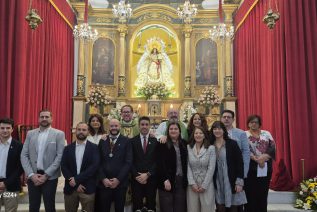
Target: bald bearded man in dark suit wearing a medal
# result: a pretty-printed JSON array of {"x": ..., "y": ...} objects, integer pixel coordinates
[{"x": 115, "y": 165}]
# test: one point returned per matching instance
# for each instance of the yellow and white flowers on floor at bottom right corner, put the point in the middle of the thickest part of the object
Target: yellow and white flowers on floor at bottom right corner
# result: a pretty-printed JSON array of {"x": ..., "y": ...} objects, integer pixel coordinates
[{"x": 307, "y": 195}]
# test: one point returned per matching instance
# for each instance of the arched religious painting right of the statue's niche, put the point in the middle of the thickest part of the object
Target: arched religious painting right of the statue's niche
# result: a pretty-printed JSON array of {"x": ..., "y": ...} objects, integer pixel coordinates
[{"x": 206, "y": 62}]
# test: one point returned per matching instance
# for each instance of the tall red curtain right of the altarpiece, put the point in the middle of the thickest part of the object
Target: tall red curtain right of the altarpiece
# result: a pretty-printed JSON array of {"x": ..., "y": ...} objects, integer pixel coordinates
[{"x": 276, "y": 77}]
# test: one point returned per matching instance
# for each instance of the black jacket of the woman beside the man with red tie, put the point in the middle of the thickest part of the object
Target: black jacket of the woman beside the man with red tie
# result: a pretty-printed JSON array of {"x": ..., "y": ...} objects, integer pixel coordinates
[{"x": 166, "y": 164}]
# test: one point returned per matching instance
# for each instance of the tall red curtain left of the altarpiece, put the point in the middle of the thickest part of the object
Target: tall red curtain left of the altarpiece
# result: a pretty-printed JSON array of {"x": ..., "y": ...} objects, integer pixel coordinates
[{"x": 36, "y": 68}]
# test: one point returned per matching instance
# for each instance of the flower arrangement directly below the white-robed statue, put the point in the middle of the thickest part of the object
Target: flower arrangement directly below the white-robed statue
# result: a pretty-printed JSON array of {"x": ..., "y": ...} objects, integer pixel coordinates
[{"x": 154, "y": 89}]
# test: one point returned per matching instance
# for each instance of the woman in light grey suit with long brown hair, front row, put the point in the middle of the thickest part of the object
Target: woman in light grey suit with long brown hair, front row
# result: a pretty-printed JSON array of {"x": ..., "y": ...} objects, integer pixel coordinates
[{"x": 201, "y": 167}]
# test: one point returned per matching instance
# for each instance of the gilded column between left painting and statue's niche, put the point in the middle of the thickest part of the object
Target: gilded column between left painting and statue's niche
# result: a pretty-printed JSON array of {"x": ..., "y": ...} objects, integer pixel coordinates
[{"x": 122, "y": 29}]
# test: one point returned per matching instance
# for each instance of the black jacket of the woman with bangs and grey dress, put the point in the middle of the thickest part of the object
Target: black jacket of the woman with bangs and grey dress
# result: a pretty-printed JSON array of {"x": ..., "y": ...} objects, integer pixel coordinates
[{"x": 234, "y": 163}]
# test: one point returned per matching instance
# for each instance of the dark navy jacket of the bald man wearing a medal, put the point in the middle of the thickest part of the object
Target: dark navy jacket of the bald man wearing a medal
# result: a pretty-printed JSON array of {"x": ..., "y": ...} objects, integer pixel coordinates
[{"x": 120, "y": 164}]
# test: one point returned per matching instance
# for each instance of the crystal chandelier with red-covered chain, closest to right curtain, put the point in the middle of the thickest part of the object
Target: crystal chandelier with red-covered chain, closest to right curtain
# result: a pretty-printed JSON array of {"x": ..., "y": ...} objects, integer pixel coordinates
[{"x": 221, "y": 31}]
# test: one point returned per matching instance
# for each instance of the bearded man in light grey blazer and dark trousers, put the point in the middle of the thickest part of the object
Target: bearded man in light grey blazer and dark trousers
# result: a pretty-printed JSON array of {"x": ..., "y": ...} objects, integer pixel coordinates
[{"x": 41, "y": 157}]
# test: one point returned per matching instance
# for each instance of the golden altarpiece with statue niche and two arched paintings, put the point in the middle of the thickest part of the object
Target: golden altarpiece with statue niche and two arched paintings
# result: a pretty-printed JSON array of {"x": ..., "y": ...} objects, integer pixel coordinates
[{"x": 118, "y": 60}]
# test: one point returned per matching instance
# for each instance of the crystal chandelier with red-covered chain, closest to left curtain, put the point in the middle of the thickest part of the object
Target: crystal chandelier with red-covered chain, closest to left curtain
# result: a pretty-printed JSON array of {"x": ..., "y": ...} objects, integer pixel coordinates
[{"x": 84, "y": 31}]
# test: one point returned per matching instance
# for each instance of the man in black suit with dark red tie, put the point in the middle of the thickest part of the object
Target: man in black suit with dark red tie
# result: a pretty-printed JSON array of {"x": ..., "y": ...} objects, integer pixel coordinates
[{"x": 144, "y": 183}]
